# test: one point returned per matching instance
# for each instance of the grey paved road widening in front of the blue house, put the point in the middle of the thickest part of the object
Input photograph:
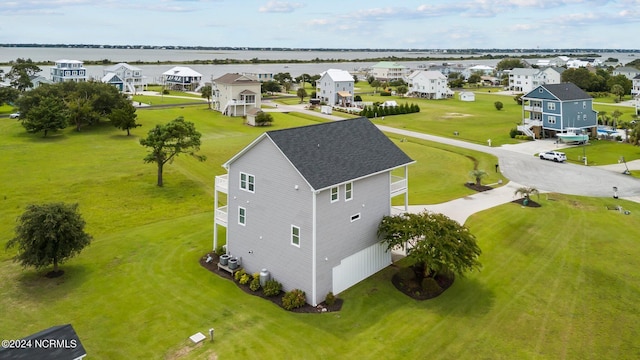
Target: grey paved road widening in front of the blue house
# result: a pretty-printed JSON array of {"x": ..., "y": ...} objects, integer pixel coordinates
[{"x": 519, "y": 165}]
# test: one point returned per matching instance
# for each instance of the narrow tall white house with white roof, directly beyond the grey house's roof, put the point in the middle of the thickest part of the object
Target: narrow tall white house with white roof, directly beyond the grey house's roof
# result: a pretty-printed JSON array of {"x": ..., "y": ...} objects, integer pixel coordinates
[{"x": 335, "y": 87}]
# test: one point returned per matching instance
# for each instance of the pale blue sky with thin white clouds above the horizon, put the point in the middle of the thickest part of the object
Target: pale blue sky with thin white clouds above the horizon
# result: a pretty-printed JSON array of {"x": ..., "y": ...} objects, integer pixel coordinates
[{"x": 420, "y": 24}]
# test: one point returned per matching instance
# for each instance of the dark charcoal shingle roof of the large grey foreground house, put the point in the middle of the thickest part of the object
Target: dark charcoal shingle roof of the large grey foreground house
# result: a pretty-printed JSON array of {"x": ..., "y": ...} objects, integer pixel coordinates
[{"x": 336, "y": 152}]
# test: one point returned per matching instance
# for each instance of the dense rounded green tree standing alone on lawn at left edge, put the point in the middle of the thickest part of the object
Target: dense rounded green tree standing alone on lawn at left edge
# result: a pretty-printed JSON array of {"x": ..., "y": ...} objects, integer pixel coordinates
[{"x": 49, "y": 234}]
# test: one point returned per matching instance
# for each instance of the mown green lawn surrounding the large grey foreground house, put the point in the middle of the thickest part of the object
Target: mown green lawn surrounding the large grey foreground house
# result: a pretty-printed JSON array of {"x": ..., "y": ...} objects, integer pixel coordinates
[{"x": 558, "y": 281}]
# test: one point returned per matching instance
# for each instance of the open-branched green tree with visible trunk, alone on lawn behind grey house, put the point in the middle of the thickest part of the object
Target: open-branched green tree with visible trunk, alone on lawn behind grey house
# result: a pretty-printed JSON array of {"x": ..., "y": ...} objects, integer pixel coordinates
[{"x": 170, "y": 140}]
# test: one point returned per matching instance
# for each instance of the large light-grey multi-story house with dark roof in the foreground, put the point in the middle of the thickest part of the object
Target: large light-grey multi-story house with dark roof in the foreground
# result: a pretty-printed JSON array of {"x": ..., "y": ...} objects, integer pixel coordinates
[{"x": 305, "y": 203}]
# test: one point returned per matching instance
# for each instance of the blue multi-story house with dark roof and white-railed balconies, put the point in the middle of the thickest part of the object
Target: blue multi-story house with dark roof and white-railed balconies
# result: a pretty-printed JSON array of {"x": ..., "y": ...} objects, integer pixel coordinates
[{"x": 557, "y": 108}]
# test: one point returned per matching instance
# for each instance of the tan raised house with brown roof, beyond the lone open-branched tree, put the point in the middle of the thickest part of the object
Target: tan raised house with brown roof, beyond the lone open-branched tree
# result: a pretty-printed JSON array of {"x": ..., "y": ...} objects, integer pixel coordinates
[{"x": 236, "y": 94}]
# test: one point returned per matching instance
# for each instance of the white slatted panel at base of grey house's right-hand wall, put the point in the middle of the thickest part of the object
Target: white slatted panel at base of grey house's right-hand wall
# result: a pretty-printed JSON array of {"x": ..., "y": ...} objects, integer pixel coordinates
[{"x": 360, "y": 266}]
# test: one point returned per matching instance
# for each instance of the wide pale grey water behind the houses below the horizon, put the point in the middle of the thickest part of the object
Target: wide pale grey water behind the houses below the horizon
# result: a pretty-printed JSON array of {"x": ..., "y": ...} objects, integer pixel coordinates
[{"x": 154, "y": 72}]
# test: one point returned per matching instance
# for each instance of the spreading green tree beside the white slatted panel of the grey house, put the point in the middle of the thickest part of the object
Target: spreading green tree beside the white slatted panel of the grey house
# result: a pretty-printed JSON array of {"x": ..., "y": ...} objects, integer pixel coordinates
[{"x": 433, "y": 241}]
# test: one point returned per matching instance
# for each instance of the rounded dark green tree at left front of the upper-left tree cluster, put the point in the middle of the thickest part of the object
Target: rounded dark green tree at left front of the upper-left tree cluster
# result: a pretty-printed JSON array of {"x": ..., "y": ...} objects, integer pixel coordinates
[{"x": 49, "y": 115}]
